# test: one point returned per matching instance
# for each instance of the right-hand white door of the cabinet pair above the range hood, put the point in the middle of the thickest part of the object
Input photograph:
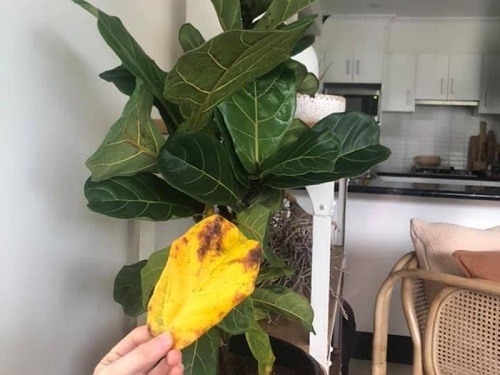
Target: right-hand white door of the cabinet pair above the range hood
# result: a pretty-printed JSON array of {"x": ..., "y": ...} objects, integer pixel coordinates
[{"x": 464, "y": 80}]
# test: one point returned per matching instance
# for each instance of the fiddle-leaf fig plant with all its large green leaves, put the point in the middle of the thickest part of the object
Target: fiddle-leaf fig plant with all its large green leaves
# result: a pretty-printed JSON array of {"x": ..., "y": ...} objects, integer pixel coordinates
[{"x": 233, "y": 148}]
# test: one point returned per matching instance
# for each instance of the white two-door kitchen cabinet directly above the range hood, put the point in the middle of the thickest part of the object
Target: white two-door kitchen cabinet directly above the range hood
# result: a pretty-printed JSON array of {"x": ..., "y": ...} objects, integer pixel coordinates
[{"x": 448, "y": 77}]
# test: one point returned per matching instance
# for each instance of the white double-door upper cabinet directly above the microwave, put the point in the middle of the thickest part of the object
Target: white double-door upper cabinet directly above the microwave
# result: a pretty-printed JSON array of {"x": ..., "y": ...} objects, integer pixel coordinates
[{"x": 353, "y": 49}]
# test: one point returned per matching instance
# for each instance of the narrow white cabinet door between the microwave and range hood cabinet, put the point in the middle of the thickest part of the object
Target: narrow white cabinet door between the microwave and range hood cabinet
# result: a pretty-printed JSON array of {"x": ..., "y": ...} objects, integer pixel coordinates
[{"x": 398, "y": 89}]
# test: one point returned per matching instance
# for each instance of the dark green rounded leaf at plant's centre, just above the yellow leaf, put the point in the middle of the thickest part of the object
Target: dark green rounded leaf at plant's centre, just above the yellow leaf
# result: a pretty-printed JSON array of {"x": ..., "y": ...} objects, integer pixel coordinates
[{"x": 198, "y": 165}]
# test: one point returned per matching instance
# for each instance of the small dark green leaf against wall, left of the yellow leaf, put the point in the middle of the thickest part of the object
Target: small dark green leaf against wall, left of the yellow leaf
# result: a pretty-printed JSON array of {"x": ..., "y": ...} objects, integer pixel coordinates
[{"x": 127, "y": 289}]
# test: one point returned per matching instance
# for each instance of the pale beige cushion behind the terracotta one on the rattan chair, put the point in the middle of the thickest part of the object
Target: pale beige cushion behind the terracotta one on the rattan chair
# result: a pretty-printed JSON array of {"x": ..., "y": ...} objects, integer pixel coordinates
[{"x": 435, "y": 244}]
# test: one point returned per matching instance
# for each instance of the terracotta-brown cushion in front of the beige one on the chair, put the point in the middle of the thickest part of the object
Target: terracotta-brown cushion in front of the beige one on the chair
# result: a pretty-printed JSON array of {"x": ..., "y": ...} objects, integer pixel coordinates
[{"x": 479, "y": 264}]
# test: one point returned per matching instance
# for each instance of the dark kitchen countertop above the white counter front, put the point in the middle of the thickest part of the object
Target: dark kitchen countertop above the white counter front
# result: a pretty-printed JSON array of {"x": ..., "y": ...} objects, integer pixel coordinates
[{"x": 376, "y": 186}]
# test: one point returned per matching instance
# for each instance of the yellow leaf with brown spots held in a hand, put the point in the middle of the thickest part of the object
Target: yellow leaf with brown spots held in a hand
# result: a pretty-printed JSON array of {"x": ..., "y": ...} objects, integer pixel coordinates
[{"x": 210, "y": 270}]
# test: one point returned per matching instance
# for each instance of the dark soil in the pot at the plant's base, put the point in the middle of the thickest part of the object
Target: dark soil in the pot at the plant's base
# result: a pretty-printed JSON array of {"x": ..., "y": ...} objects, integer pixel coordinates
[{"x": 234, "y": 364}]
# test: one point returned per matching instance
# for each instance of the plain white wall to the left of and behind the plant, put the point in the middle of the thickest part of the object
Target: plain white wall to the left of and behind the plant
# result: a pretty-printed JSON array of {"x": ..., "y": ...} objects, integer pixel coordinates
[{"x": 58, "y": 258}]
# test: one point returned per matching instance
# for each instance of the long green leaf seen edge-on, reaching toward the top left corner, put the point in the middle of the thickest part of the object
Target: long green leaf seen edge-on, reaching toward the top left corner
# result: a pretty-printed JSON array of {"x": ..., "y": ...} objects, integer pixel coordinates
[{"x": 134, "y": 59}]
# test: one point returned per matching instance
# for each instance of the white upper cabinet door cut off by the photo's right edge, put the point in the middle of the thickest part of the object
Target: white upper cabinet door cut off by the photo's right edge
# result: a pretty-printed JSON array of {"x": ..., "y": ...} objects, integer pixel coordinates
[{"x": 490, "y": 85}]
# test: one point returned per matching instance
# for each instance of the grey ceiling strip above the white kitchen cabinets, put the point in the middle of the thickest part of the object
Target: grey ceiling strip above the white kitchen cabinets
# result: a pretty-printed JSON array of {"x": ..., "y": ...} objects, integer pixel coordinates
[{"x": 414, "y": 8}]
